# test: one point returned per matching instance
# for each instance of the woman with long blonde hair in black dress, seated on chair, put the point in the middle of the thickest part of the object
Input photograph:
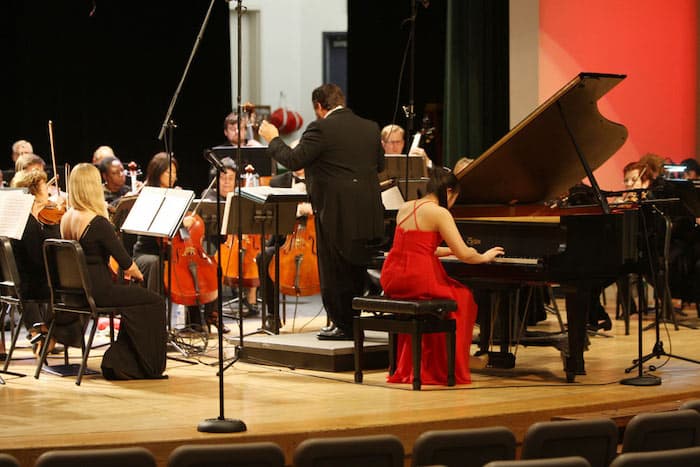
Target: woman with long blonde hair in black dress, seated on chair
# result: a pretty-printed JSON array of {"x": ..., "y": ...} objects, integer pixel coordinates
[{"x": 140, "y": 349}]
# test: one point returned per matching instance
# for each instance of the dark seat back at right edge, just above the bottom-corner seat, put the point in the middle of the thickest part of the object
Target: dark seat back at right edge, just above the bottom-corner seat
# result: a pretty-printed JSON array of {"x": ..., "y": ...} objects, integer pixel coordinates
[{"x": 659, "y": 431}]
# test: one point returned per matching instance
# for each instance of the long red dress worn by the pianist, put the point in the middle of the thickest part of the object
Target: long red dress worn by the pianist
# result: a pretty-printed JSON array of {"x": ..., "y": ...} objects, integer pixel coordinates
[{"x": 411, "y": 270}]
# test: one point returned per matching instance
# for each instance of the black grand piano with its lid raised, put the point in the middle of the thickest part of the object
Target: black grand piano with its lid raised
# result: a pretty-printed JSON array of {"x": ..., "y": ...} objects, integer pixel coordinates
[{"x": 509, "y": 196}]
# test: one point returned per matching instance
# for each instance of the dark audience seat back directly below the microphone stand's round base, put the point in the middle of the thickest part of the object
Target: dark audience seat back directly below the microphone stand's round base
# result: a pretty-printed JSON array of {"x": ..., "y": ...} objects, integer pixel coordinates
[{"x": 262, "y": 454}]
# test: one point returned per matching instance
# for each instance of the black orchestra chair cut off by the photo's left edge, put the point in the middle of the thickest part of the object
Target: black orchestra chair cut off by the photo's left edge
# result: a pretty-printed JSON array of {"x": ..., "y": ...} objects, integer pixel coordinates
[{"x": 10, "y": 299}]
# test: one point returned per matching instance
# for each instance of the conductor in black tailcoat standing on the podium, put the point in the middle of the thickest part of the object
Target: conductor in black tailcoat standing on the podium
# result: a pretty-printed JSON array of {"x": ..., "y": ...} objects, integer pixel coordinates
[{"x": 342, "y": 155}]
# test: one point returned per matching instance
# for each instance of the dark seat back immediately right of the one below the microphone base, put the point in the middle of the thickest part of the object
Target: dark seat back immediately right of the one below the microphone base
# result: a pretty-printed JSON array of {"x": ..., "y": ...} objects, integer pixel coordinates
[{"x": 367, "y": 451}]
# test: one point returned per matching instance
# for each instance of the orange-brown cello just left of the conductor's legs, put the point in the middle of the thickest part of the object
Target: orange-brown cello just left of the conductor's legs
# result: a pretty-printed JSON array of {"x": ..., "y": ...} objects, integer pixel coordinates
[{"x": 299, "y": 261}]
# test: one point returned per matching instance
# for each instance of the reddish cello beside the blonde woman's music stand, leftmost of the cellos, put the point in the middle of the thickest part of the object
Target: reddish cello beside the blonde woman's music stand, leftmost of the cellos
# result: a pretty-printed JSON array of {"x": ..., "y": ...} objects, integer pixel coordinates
[{"x": 194, "y": 276}]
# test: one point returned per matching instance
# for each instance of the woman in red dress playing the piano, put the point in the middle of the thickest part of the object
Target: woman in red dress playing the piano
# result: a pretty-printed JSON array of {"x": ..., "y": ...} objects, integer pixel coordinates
[{"x": 413, "y": 270}]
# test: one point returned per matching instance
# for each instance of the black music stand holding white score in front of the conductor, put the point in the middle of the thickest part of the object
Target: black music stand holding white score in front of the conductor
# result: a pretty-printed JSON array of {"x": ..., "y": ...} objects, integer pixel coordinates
[{"x": 264, "y": 210}]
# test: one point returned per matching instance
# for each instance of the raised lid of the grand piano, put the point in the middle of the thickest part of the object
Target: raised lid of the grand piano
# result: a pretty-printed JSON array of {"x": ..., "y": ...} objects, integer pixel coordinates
[{"x": 537, "y": 160}]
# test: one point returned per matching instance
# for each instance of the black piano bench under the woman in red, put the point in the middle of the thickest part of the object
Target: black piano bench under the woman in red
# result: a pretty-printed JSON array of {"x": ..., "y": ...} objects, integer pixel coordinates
[{"x": 414, "y": 317}]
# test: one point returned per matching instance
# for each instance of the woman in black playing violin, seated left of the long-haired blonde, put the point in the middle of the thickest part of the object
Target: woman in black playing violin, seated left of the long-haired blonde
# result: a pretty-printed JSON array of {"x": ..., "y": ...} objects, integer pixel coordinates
[{"x": 28, "y": 253}]
